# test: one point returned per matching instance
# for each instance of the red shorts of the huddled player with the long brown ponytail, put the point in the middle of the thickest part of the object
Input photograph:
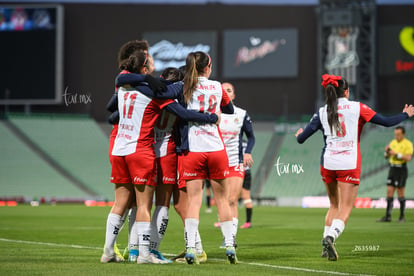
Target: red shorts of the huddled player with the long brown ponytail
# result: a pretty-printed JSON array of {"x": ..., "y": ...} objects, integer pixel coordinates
[{"x": 202, "y": 165}]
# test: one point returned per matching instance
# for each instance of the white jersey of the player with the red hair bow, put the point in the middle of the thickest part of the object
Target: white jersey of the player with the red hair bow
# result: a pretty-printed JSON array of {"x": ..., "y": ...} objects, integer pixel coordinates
[{"x": 341, "y": 151}]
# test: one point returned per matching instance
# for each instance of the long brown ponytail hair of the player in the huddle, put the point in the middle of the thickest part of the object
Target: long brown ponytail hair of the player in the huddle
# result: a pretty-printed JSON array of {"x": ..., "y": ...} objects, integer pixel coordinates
[{"x": 195, "y": 64}]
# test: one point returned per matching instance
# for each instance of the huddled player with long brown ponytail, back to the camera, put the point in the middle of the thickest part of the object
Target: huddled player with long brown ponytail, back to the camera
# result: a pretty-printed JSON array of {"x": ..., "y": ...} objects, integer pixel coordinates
[{"x": 204, "y": 155}]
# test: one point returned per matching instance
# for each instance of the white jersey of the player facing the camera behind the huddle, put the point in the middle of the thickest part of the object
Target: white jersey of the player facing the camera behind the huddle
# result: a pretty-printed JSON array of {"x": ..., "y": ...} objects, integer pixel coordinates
[{"x": 230, "y": 128}]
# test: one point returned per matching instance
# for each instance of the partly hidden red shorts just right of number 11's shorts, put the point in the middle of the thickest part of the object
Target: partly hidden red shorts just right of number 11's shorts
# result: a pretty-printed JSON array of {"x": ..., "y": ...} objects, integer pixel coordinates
[{"x": 167, "y": 169}]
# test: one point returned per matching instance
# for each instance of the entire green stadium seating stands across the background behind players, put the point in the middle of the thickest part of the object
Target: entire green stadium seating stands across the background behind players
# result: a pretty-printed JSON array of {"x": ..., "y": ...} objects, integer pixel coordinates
[{"x": 66, "y": 156}]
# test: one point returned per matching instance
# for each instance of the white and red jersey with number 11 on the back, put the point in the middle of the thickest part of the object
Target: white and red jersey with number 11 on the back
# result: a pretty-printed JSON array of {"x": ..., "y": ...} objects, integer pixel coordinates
[{"x": 137, "y": 116}]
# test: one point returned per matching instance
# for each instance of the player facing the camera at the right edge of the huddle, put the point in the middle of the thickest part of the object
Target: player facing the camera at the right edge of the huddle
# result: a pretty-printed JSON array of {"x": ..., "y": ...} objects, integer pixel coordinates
[{"x": 232, "y": 128}]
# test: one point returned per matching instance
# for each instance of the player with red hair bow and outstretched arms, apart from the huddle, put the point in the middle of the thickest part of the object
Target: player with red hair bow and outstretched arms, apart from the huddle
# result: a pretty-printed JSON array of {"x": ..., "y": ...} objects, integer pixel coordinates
[{"x": 341, "y": 122}]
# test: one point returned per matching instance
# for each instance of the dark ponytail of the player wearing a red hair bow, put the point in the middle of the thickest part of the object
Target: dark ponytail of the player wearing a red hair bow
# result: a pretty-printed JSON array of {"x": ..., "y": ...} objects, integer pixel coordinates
[{"x": 332, "y": 94}]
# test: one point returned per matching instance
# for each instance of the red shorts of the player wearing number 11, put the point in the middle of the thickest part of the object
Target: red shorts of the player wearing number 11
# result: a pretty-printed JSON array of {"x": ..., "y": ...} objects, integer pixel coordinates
[{"x": 136, "y": 168}]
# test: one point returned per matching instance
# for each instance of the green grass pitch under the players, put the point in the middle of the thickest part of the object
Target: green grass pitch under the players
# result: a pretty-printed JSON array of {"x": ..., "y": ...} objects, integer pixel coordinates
[{"x": 68, "y": 240}]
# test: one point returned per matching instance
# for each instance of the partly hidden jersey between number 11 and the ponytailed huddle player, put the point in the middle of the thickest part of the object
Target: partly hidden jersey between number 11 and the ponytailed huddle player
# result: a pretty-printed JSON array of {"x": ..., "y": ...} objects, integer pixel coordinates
[{"x": 164, "y": 140}]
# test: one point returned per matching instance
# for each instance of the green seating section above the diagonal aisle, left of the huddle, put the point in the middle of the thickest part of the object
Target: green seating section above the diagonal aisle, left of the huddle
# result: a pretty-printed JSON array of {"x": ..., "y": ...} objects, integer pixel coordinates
[{"x": 76, "y": 145}]
